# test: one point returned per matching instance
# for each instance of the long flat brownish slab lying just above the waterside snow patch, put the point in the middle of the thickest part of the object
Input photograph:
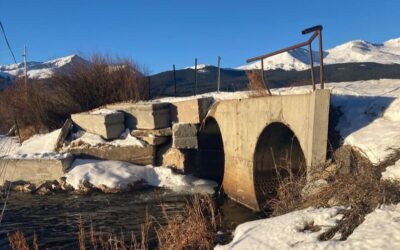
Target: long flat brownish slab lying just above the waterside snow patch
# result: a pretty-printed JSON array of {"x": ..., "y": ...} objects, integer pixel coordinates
[{"x": 134, "y": 154}]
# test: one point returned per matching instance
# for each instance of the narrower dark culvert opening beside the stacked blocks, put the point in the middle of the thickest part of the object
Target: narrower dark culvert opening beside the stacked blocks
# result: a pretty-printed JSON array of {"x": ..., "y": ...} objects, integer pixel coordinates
[{"x": 211, "y": 151}]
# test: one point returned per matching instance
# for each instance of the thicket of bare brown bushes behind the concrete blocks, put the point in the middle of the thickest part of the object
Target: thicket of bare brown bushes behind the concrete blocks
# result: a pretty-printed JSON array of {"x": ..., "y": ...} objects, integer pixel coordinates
[{"x": 45, "y": 104}]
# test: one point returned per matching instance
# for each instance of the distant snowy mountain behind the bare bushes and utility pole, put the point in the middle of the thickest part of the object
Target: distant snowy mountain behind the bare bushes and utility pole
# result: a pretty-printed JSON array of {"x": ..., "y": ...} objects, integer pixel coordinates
[{"x": 40, "y": 70}]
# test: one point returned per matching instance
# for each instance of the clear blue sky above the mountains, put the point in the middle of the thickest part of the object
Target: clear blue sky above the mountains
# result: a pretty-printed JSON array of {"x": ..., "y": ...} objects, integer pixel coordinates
[{"x": 161, "y": 33}]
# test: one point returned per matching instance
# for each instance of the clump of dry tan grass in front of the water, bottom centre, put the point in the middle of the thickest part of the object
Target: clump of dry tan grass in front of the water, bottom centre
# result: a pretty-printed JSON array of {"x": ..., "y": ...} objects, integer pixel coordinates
[{"x": 195, "y": 228}]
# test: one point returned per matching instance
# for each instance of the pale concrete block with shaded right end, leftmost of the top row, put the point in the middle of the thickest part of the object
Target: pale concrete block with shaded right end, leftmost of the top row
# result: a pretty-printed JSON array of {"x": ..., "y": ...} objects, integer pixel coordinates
[{"x": 107, "y": 125}]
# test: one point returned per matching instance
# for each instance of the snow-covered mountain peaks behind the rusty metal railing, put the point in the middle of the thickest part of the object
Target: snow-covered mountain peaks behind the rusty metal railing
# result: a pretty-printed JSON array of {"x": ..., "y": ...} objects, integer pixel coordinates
[{"x": 356, "y": 51}]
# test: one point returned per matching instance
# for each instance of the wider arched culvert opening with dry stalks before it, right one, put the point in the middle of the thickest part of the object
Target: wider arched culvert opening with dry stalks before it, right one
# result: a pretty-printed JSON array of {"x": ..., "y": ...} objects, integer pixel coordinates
[{"x": 278, "y": 155}]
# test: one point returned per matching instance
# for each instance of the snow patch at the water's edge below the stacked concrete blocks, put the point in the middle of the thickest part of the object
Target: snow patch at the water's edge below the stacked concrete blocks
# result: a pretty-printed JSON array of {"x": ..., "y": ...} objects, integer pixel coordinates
[{"x": 116, "y": 174}]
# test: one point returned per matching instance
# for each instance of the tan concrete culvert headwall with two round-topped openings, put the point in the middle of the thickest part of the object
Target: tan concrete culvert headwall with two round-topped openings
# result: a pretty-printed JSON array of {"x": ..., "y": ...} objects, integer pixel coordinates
[{"x": 242, "y": 142}]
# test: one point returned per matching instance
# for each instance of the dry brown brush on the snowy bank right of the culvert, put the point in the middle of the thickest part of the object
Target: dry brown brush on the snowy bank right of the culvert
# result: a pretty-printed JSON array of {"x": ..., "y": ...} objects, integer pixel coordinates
[{"x": 361, "y": 190}]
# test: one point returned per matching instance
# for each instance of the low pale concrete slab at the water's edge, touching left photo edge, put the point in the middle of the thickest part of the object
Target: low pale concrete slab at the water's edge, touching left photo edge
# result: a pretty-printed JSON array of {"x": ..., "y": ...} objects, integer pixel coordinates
[{"x": 35, "y": 171}]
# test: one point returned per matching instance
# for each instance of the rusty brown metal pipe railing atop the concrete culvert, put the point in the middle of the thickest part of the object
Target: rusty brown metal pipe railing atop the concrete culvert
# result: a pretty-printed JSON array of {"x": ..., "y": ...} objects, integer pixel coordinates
[{"x": 317, "y": 31}]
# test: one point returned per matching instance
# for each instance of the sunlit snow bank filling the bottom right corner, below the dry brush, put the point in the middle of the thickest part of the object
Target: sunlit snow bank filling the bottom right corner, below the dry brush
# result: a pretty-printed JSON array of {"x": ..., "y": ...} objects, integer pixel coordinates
[{"x": 380, "y": 230}]
